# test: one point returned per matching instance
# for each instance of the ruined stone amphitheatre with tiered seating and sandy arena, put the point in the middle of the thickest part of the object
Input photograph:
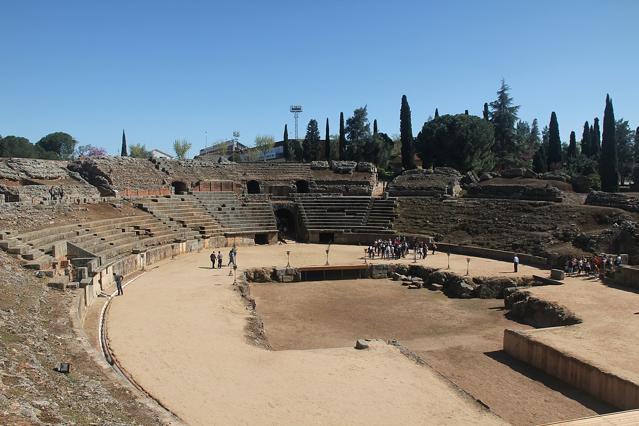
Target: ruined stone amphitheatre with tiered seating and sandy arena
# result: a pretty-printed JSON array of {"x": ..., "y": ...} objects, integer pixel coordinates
[{"x": 307, "y": 328}]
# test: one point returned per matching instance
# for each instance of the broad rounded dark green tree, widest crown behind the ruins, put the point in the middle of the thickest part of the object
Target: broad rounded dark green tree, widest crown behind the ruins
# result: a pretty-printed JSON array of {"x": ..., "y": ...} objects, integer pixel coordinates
[{"x": 461, "y": 141}]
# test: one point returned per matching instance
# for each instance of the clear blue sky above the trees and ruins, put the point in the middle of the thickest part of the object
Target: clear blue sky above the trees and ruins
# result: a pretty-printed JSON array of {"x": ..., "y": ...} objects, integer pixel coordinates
[{"x": 177, "y": 69}]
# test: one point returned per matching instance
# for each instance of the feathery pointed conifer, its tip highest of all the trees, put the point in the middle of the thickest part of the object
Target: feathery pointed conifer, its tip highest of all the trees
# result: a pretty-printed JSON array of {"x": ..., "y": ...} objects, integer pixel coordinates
[{"x": 503, "y": 115}]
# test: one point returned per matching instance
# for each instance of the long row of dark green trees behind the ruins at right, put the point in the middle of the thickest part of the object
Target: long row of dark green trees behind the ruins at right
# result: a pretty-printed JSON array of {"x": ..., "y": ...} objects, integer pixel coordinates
[{"x": 498, "y": 140}]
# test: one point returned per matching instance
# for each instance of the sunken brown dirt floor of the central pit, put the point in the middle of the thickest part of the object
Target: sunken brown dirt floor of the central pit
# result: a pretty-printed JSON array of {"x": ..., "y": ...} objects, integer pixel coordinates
[{"x": 461, "y": 339}]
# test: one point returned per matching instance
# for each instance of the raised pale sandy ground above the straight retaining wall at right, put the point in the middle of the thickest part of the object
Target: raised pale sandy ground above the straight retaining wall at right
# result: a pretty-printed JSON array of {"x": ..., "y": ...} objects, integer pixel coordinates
[{"x": 609, "y": 335}]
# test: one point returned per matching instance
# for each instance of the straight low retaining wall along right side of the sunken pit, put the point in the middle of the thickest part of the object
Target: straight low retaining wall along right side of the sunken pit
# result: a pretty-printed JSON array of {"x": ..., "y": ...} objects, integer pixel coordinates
[{"x": 615, "y": 390}]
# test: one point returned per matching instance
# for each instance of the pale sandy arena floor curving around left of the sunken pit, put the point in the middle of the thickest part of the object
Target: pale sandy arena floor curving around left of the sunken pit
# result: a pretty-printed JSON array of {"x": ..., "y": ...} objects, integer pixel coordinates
[{"x": 180, "y": 331}]
